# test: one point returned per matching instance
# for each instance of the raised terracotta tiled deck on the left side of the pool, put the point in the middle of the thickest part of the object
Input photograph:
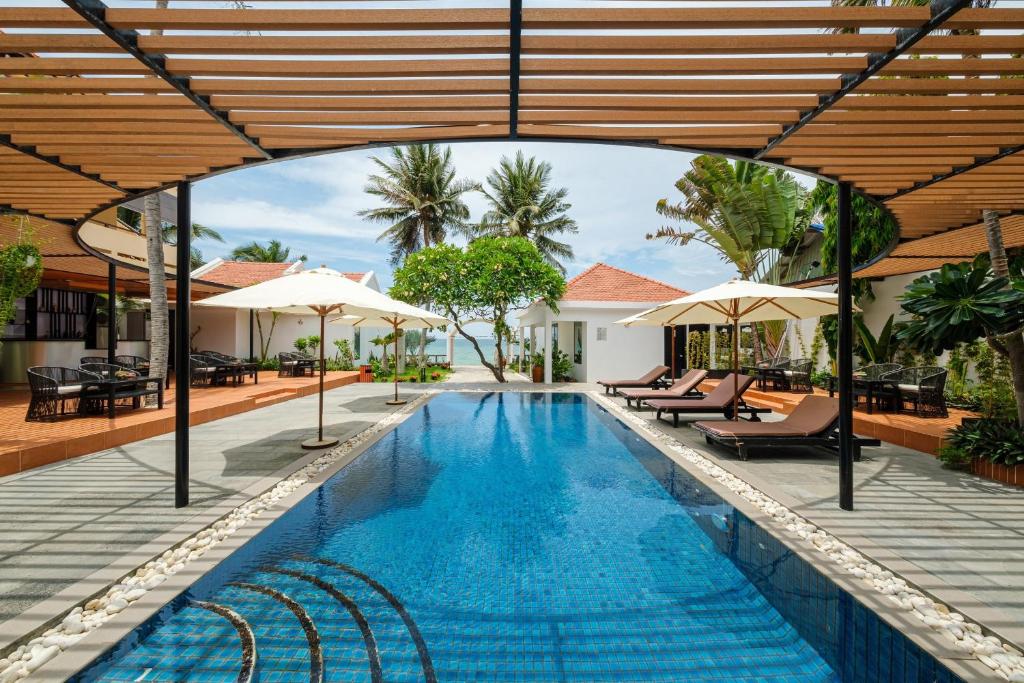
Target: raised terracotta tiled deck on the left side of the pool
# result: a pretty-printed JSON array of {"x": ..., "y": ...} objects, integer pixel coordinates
[{"x": 28, "y": 445}]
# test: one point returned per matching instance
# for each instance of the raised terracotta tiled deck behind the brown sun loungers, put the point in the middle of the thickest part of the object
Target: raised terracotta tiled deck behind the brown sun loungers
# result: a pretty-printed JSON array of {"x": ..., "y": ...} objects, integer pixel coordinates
[{"x": 925, "y": 435}]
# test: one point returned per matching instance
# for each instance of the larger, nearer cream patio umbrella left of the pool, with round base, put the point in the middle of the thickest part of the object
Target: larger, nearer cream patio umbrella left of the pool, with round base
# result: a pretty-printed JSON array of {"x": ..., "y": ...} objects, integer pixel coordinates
[{"x": 321, "y": 291}]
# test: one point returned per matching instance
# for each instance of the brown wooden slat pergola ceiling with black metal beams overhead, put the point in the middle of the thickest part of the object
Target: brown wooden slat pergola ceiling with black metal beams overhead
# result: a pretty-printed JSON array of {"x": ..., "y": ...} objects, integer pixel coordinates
[{"x": 95, "y": 106}]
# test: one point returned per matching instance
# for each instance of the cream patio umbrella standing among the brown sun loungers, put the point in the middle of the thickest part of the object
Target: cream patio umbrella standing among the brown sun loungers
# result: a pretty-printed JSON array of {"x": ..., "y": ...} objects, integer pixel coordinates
[{"x": 739, "y": 302}]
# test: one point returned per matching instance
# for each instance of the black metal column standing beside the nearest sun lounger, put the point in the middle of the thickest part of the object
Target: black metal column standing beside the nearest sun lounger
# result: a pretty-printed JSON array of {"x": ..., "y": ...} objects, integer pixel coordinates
[{"x": 845, "y": 347}]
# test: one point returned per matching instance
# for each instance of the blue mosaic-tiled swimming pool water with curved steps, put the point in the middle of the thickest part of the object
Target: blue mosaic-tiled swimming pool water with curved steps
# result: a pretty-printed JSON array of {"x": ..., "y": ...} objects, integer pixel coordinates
[{"x": 515, "y": 537}]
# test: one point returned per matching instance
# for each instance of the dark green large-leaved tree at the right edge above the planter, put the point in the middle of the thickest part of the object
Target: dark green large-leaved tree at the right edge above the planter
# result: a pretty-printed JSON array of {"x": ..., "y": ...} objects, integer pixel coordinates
[{"x": 963, "y": 303}]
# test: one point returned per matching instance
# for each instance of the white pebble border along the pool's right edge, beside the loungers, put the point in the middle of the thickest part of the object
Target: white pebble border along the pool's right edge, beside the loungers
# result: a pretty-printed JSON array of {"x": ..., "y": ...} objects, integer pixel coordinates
[{"x": 1003, "y": 659}]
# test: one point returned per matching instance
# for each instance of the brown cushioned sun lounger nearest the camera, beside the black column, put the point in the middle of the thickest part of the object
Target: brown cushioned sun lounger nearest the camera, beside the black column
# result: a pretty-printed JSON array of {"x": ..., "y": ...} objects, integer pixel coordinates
[{"x": 814, "y": 422}]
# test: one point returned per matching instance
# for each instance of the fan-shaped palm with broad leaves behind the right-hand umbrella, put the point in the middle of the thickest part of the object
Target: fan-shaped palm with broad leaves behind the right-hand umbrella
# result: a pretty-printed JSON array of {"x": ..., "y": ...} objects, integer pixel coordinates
[{"x": 750, "y": 215}]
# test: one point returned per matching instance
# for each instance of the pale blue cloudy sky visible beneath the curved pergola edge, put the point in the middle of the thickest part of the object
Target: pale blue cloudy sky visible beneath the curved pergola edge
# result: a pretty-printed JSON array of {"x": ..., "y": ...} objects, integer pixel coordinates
[{"x": 312, "y": 206}]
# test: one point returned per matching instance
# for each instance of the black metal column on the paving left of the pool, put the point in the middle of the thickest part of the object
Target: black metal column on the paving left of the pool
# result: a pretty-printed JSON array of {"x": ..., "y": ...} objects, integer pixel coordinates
[{"x": 182, "y": 348}]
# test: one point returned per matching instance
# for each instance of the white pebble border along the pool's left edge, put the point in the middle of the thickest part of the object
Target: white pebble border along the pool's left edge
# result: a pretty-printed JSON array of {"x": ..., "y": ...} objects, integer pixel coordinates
[{"x": 35, "y": 653}]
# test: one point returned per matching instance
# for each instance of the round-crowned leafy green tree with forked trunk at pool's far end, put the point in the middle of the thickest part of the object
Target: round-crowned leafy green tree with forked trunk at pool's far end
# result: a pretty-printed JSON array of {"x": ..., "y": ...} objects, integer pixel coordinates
[{"x": 485, "y": 281}]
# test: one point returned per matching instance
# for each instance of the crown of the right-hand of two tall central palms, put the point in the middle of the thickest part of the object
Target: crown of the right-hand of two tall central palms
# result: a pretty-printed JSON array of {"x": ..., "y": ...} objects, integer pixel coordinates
[{"x": 523, "y": 204}]
